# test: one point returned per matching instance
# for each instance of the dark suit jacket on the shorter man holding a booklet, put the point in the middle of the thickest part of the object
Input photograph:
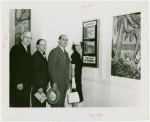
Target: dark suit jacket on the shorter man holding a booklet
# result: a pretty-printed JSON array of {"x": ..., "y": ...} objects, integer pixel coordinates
[{"x": 40, "y": 77}]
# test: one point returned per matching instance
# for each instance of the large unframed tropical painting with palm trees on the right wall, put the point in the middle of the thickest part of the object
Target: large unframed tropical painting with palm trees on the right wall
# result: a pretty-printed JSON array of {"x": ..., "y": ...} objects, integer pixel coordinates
[{"x": 126, "y": 46}]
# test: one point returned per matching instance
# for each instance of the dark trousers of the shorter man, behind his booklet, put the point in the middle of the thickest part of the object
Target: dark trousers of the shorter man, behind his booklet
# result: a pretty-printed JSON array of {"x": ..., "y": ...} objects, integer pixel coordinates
[{"x": 36, "y": 102}]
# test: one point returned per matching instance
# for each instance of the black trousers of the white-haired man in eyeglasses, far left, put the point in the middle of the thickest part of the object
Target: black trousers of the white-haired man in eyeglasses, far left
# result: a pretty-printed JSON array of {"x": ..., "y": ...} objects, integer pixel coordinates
[{"x": 20, "y": 98}]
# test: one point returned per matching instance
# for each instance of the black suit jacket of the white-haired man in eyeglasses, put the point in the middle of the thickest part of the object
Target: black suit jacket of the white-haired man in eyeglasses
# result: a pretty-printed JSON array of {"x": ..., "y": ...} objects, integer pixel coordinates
[{"x": 20, "y": 67}]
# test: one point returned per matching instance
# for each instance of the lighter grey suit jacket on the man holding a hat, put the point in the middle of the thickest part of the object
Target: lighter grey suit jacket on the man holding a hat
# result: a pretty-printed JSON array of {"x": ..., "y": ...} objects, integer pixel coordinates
[{"x": 58, "y": 66}]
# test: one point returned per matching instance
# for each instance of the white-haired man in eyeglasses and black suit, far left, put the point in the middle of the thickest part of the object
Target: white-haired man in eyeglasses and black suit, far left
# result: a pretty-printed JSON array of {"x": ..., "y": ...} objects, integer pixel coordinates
[{"x": 21, "y": 72}]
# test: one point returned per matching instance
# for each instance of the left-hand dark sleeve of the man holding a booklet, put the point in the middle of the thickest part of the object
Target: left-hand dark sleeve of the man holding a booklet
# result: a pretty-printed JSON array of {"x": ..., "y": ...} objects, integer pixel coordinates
[{"x": 37, "y": 80}]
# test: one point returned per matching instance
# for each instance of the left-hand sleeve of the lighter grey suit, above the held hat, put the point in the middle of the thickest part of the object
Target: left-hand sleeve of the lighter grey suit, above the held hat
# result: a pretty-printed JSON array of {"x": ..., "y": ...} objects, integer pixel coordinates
[{"x": 52, "y": 62}]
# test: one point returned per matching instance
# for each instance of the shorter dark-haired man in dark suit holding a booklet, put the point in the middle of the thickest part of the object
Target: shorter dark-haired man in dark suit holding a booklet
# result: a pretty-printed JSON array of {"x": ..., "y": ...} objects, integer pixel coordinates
[{"x": 40, "y": 72}]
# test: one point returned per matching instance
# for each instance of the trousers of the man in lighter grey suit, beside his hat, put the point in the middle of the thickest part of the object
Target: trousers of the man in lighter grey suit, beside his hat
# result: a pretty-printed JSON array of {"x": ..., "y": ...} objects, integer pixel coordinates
[{"x": 63, "y": 91}]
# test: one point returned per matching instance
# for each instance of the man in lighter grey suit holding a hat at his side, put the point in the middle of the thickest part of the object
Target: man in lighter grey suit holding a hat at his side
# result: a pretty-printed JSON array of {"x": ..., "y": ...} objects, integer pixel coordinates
[{"x": 58, "y": 66}]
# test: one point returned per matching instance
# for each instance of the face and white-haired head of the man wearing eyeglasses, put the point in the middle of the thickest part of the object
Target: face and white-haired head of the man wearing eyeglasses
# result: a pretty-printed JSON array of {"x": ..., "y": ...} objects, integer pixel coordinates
[{"x": 26, "y": 38}]
